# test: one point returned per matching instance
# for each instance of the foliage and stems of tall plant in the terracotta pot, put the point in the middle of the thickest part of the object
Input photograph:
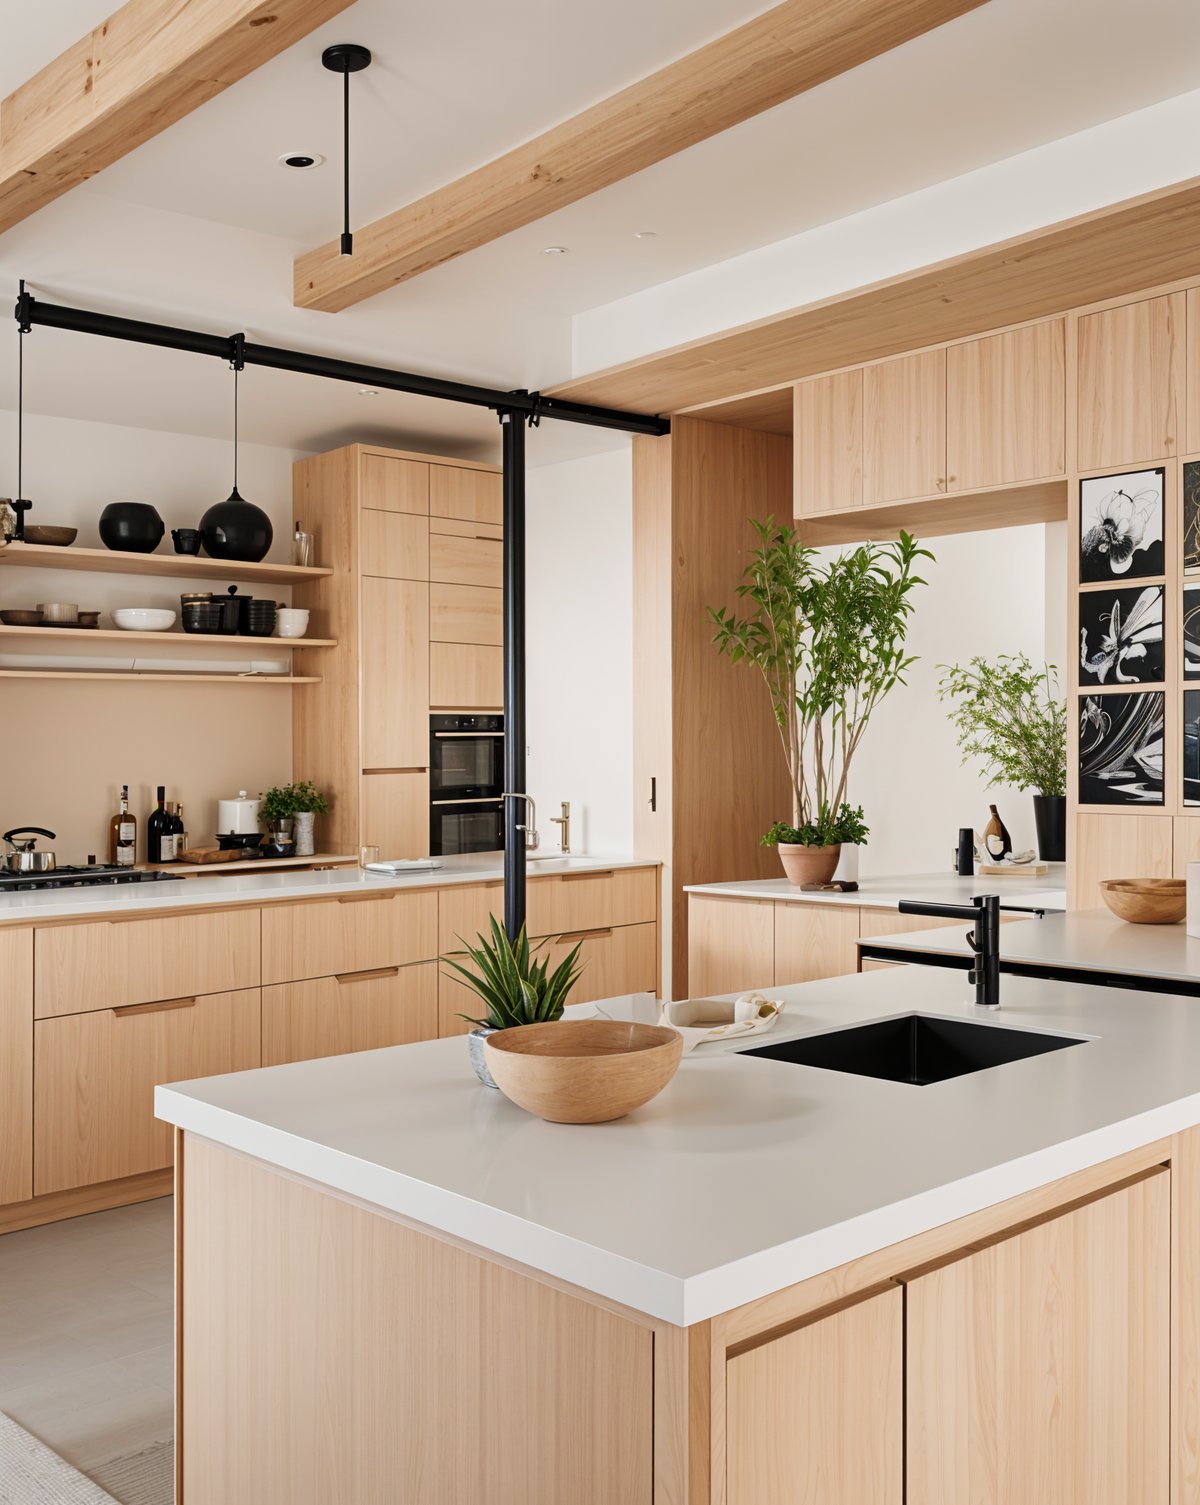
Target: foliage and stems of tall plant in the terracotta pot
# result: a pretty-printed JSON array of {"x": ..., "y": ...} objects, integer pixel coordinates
[{"x": 829, "y": 639}]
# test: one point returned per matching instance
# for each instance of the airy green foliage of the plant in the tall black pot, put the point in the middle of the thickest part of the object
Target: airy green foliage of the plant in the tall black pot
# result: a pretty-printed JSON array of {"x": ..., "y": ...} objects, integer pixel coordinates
[{"x": 1011, "y": 720}]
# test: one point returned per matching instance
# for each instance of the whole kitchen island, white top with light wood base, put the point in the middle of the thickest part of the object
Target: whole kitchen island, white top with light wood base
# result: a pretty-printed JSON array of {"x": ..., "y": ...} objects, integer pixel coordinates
[{"x": 775, "y": 1283}]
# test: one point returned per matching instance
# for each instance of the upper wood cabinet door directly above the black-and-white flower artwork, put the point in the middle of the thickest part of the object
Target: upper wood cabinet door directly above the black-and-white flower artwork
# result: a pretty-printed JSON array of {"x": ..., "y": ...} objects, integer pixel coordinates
[{"x": 1131, "y": 383}]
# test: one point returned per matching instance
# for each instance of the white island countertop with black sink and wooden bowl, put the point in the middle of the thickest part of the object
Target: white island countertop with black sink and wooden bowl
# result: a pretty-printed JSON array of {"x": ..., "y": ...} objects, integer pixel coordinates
[{"x": 745, "y": 1176}]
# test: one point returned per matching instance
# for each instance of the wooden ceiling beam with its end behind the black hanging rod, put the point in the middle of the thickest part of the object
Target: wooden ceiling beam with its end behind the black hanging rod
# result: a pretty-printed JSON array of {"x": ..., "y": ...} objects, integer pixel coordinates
[{"x": 784, "y": 53}]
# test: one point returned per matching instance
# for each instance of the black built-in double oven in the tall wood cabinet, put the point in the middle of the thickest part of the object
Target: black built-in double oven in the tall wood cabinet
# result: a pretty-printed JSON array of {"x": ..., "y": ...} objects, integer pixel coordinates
[{"x": 466, "y": 783}]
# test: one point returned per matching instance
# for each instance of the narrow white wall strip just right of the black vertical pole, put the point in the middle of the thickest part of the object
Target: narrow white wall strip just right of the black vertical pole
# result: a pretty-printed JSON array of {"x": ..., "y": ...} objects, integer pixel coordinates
[{"x": 580, "y": 649}]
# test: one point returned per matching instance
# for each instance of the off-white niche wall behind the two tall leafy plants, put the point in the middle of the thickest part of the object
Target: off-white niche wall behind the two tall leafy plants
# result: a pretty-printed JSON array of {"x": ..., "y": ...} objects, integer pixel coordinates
[{"x": 994, "y": 592}]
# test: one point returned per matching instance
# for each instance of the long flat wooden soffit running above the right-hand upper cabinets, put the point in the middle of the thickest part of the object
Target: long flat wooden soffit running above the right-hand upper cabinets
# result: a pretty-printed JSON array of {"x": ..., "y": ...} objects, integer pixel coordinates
[{"x": 1109, "y": 254}]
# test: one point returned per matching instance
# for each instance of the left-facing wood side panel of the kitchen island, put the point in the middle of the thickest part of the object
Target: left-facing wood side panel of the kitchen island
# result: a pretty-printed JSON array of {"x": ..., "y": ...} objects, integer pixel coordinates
[{"x": 392, "y": 1337}]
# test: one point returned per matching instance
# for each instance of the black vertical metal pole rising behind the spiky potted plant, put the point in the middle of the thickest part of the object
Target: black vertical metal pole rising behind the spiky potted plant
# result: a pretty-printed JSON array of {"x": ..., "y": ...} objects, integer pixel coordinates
[{"x": 516, "y": 810}]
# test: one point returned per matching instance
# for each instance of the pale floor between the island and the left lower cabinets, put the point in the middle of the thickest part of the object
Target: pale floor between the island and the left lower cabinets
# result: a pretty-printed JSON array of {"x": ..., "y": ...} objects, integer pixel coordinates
[{"x": 87, "y": 1333}]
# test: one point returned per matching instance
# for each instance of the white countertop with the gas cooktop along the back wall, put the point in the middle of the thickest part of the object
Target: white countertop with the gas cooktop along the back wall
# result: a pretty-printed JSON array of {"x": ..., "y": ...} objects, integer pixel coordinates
[{"x": 260, "y": 889}]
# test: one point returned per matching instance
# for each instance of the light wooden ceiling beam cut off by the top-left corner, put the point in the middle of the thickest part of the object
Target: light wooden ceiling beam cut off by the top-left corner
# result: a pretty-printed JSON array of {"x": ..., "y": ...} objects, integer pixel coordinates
[{"x": 147, "y": 67}]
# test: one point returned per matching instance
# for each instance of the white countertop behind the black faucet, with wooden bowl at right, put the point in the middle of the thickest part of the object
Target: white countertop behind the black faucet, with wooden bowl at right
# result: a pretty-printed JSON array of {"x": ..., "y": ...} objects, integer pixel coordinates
[{"x": 1085, "y": 940}]
